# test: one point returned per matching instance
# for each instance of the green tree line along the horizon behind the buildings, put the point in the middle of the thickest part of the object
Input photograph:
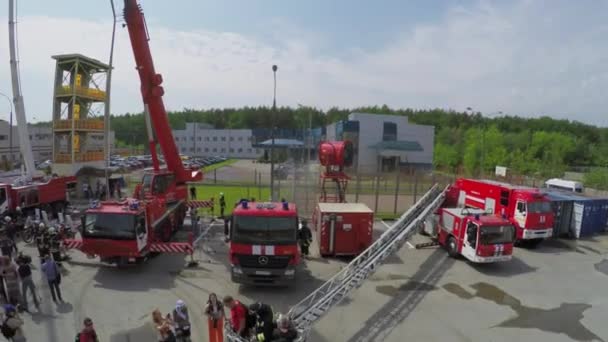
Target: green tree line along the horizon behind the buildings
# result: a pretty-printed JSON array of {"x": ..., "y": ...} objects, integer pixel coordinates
[{"x": 465, "y": 142}]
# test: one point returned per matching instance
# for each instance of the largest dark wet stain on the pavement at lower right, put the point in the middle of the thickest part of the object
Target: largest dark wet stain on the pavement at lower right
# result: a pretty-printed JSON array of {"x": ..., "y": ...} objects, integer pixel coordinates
[{"x": 565, "y": 319}]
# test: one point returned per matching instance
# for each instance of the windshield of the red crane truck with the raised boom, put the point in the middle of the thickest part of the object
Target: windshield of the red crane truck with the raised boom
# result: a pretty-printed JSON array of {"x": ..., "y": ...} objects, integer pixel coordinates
[{"x": 109, "y": 226}]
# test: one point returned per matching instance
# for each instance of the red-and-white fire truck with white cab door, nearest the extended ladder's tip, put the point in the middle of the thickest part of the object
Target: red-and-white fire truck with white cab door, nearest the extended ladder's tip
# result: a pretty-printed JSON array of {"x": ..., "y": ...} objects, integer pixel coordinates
[{"x": 478, "y": 236}]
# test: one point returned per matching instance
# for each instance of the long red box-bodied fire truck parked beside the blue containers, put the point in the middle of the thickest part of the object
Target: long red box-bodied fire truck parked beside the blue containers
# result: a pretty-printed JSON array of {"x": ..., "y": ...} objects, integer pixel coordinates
[{"x": 528, "y": 209}]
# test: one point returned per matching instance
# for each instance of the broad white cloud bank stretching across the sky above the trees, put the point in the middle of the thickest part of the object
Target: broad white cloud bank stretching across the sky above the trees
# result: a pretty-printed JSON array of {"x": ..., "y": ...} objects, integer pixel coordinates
[{"x": 528, "y": 58}]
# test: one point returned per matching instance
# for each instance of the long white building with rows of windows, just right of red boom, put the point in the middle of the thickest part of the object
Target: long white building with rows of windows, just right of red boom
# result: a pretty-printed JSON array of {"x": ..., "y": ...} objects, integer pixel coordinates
[{"x": 201, "y": 140}]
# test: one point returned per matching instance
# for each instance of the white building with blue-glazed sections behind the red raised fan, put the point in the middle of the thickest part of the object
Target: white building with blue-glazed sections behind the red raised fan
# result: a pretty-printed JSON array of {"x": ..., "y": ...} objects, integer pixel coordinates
[{"x": 383, "y": 141}]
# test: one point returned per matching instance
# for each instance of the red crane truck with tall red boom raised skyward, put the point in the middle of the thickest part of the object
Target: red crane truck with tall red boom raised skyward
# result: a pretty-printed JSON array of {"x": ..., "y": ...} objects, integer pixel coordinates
[{"x": 128, "y": 231}]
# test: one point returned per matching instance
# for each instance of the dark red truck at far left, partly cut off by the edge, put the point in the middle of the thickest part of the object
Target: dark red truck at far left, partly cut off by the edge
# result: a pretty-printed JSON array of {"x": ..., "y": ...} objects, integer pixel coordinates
[{"x": 51, "y": 195}]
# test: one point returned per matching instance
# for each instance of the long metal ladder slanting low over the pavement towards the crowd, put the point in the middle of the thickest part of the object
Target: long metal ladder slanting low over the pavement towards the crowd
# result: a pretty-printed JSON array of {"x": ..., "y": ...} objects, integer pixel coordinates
[{"x": 318, "y": 303}]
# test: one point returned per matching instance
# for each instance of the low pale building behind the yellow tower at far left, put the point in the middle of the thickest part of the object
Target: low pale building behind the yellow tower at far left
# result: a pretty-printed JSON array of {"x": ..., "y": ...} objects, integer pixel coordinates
[{"x": 41, "y": 138}]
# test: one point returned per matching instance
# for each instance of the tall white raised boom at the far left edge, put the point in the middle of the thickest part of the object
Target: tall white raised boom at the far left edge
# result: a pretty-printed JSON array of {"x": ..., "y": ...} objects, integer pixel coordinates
[{"x": 24, "y": 142}]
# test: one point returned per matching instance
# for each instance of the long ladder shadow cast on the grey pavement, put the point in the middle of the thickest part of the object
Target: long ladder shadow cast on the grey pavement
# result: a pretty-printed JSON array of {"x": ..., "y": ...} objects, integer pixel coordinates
[{"x": 405, "y": 300}]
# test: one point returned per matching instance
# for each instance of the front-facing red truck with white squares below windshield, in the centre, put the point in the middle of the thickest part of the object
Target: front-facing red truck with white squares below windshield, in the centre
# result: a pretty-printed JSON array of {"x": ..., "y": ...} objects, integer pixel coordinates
[{"x": 263, "y": 243}]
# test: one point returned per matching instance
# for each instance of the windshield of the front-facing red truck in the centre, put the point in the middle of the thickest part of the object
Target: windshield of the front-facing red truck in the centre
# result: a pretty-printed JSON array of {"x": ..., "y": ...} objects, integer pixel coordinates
[{"x": 264, "y": 230}]
